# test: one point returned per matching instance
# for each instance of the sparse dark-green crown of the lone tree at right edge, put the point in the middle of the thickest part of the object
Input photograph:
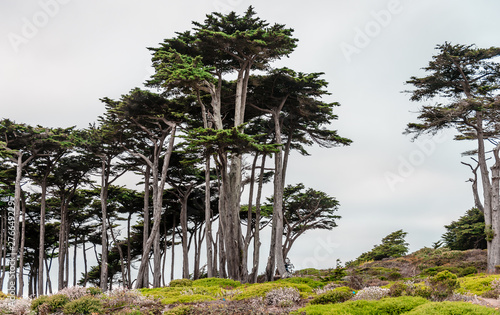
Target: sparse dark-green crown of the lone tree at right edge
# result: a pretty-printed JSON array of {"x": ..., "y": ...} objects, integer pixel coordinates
[{"x": 467, "y": 80}]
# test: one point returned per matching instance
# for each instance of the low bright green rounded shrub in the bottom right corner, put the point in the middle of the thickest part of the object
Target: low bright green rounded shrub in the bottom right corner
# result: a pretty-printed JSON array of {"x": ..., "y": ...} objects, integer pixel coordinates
[{"x": 451, "y": 308}]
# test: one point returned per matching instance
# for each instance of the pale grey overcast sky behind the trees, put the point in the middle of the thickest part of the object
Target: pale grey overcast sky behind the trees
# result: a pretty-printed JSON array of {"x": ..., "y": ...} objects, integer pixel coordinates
[{"x": 58, "y": 57}]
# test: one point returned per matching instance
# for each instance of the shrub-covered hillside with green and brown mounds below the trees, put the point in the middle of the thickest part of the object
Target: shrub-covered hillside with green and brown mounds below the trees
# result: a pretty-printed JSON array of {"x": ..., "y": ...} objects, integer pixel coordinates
[{"x": 426, "y": 282}]
